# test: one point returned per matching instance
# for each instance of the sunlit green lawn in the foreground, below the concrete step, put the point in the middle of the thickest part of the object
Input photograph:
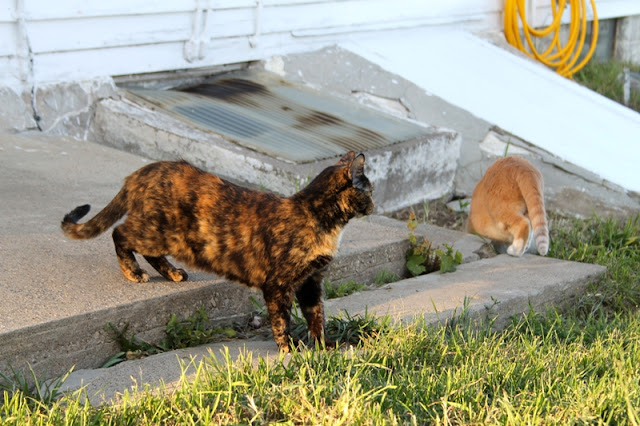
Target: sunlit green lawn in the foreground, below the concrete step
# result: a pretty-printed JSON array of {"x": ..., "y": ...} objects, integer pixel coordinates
[{"x": 576, "y": 366}]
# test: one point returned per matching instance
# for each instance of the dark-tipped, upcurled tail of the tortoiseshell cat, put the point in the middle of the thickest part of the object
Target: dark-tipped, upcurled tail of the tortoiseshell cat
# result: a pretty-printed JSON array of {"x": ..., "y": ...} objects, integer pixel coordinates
[{"x": 99, "y": 223}]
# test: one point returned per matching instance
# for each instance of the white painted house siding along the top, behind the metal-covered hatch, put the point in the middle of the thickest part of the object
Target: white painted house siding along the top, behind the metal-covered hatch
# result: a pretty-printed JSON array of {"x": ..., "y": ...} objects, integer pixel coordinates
[{"x": 46, "y": 41}]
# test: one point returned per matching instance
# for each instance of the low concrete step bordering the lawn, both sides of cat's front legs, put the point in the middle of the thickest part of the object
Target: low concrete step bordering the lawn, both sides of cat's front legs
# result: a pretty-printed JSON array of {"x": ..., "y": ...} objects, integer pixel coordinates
[{"x": 496, "y": 289}]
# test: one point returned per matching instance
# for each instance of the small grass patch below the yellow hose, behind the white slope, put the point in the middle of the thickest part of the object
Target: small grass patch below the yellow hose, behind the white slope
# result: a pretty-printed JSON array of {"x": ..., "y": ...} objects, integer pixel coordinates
[{"x": 603, "y": 77}]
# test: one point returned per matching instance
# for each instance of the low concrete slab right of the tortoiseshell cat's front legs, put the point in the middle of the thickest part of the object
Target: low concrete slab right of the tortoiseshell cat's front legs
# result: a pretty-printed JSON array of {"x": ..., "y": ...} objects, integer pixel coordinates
[{"x": 495, "y": 288}]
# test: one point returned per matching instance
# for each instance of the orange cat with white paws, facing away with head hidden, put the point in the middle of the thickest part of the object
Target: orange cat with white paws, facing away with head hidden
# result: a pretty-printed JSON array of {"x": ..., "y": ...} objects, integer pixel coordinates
[{"x": 507, "y": 206}]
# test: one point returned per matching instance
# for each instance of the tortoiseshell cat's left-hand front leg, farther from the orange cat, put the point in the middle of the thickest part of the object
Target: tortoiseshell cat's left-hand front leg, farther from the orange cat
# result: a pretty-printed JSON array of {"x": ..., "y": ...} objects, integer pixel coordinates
[{"x": 279, "y": 301}]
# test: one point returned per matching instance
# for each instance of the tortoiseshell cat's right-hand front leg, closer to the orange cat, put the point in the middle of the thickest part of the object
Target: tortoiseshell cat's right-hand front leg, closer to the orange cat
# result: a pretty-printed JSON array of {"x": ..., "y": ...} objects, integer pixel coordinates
[{"x": 309, "y": 296}]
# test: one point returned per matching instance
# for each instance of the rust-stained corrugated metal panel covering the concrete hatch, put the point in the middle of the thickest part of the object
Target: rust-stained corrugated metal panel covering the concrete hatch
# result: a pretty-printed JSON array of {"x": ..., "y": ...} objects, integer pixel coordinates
[{"x": 260, "y": 111}]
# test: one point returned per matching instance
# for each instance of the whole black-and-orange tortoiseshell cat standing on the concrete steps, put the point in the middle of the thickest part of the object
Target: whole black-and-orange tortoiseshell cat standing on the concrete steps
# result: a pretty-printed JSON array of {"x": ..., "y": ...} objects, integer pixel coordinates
[{"x": 279, "y": 245}]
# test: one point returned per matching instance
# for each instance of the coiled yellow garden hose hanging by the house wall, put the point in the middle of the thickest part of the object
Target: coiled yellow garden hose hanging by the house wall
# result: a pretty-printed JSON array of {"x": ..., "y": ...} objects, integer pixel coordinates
[{"x": 558, "y": 56}]
